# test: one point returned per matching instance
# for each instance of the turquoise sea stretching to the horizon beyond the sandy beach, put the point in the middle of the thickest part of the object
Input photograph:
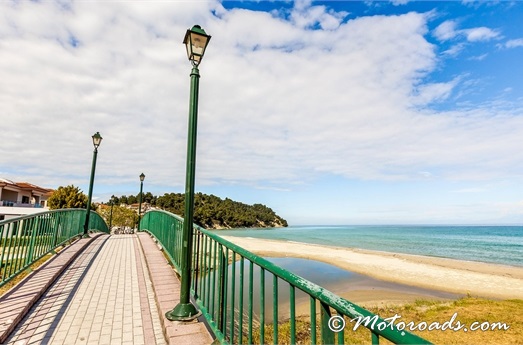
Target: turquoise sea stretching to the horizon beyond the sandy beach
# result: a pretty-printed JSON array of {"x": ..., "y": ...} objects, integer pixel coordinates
[{"x": 493, "y": 244}]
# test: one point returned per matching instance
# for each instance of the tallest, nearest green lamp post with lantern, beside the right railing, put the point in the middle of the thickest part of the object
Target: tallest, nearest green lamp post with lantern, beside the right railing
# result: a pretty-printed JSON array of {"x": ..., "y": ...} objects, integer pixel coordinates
[{"x": 196, "y": 41}]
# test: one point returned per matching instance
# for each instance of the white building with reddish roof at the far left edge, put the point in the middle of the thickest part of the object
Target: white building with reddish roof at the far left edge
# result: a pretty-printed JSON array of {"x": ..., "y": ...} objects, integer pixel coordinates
[{"x": 21, "y": 198}]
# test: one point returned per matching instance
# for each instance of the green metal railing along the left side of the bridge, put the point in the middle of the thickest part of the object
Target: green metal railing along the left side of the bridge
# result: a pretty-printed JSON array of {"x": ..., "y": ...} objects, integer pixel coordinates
[{"x": 24, "y": 240}]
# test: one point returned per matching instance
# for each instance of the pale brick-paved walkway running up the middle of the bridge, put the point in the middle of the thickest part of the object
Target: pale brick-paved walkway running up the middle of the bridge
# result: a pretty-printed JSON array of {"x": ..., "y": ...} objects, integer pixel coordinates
[{"x": 107, "y": 296}]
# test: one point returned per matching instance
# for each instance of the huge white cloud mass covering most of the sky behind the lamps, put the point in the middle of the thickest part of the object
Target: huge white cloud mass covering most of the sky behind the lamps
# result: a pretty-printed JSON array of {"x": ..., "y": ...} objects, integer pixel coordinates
[{"x": 278, "y": 105}]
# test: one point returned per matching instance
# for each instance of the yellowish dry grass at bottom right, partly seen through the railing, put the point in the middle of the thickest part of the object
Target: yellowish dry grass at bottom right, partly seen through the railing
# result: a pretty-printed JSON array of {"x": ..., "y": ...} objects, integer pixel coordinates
[{"x": 468, "y": 310}]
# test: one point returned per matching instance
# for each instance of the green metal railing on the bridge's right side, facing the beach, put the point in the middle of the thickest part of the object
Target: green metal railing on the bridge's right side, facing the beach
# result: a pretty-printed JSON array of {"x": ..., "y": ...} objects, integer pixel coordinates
[{"x": 247, "y": 299}]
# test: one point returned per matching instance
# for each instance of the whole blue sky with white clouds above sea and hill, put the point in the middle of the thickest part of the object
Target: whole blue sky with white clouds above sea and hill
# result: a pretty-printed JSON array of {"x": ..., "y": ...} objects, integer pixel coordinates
[{"x": 329, "y": 112}]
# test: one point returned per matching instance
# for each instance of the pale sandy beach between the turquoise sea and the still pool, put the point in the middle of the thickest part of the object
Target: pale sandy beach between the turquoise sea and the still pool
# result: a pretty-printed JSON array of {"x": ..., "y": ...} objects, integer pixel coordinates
[{"x": 440, "y": 274}]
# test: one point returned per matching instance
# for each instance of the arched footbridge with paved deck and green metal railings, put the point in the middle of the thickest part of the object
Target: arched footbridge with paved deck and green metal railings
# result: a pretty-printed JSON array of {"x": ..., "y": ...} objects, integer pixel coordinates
[{"x": 118, "y": 288}]
